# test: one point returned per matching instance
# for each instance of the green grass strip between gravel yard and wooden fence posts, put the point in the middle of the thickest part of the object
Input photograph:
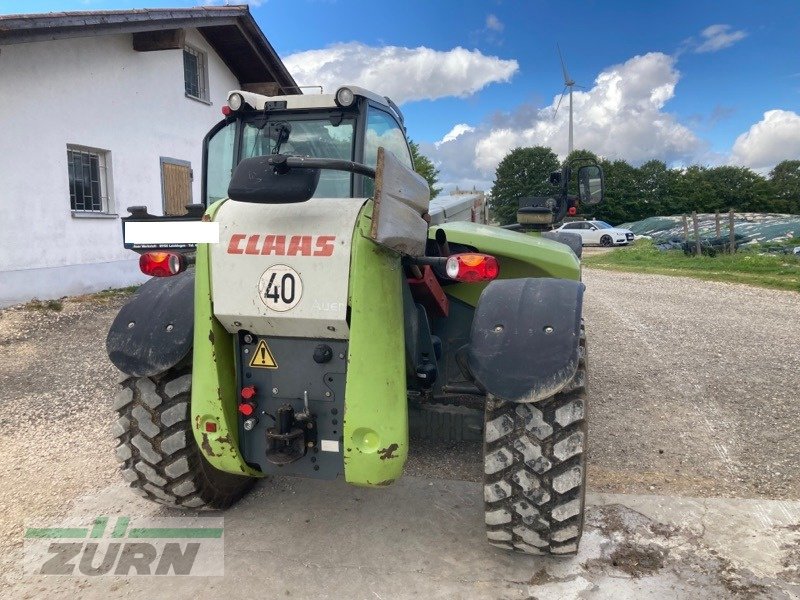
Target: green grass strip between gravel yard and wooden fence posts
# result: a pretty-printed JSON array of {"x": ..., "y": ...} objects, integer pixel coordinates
[{"x": 781, "y": 272}]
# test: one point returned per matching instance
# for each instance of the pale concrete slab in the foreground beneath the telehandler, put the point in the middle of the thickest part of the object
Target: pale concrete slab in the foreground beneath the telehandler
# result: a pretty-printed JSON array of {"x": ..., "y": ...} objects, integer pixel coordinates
[{"x": 424, "y": 539}]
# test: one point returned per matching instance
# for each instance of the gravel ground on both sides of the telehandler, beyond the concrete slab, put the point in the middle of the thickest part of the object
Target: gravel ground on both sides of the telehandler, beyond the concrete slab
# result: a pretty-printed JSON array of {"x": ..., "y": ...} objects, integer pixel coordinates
[{"x": 693, "y": 388}]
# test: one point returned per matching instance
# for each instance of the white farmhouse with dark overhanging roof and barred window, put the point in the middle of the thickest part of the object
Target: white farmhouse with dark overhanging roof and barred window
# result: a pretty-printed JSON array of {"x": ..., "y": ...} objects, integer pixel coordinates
[{"x": 104, "y": 110}]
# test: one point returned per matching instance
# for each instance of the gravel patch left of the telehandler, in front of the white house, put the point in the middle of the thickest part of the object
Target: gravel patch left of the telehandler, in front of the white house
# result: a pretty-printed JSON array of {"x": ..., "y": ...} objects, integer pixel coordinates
[{"x": 55, "y": 387}]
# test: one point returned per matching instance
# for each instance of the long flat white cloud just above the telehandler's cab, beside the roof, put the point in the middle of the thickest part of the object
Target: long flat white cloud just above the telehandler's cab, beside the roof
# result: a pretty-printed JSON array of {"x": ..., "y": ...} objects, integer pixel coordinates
[{"x": 403, "y": 74}]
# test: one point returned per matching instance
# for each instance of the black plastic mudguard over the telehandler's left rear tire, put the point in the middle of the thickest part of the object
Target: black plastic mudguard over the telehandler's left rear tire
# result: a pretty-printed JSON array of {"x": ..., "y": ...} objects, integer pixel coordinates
[{"x": 154, "y": 330}]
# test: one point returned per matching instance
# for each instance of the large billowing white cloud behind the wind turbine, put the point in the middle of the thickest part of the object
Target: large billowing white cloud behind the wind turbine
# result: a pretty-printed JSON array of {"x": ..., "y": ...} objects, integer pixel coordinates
[{"x": 621, "y": 116}]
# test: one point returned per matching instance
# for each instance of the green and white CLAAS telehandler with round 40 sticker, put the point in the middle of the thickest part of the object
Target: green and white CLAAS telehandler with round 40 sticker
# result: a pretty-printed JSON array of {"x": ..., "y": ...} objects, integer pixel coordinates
[{"x": 318, "y": 301}]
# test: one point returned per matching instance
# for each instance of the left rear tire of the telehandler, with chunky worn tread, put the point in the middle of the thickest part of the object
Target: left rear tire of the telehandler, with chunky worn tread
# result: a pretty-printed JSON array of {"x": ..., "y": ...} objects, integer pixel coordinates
[{"x": 160, "y": 458}]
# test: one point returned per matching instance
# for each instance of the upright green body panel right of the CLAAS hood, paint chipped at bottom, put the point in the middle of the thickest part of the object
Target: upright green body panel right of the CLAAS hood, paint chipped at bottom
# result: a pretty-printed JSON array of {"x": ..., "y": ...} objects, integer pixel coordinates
[{"x": 376, "y": 406}]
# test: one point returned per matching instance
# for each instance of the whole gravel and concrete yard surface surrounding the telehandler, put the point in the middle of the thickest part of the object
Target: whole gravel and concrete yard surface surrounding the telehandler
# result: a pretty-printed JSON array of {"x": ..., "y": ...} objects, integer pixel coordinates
[{"x": 693, "y": 395}]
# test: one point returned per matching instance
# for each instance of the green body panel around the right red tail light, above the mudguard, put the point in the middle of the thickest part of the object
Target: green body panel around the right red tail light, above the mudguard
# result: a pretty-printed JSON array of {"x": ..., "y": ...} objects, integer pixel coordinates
[{"x": 519, "y": 255}]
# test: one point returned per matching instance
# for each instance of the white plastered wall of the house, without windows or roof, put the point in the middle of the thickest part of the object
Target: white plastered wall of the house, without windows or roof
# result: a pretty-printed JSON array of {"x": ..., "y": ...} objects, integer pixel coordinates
[{"x": 94, "y": 92}]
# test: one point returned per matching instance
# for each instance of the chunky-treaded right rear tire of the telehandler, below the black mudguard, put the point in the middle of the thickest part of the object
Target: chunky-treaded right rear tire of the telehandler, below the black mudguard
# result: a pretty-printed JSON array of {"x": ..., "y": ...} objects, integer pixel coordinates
[{"x": 535, "y": 469}]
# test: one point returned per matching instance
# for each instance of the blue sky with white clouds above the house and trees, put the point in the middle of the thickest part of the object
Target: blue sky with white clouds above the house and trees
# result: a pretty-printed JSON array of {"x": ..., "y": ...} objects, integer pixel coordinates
[{"x": 686, "y": 82}]
